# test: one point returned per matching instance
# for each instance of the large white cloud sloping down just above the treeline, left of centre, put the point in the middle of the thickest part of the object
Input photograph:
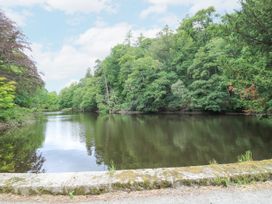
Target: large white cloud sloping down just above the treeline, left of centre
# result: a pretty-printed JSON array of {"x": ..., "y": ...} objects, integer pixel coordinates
[{"x": 81, "y": 52}]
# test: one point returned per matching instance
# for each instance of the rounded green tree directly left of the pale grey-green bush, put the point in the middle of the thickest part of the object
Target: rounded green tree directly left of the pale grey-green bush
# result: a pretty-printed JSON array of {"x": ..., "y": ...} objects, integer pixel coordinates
[{"x": 147, "y": 87}]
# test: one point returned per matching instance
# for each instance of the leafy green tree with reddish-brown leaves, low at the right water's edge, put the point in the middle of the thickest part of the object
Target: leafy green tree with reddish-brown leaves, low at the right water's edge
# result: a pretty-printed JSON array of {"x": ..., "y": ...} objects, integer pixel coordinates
[{"x": 250, "y": 77}]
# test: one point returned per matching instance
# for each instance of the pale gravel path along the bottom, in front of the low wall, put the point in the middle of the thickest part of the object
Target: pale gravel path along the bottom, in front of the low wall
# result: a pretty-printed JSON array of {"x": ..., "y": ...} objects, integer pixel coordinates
[{"x": 254, "y": 193}]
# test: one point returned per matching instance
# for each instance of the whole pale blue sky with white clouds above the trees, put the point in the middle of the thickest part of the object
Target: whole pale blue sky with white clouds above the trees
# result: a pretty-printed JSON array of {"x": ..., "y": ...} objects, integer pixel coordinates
[{"x": 68, "y": 36}]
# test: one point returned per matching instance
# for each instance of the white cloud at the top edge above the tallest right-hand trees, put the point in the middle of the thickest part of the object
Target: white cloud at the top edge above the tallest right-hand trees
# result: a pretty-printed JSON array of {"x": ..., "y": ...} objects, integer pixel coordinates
[{"x": 194, "y": 5}]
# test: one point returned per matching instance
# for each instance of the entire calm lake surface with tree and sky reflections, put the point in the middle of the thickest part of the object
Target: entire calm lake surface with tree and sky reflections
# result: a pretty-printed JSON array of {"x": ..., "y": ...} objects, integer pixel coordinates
[{"x": 88, "y": 142}]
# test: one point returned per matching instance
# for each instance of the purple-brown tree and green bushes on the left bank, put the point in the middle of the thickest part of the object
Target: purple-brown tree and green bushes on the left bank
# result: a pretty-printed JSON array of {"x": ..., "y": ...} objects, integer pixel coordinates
[{"x": 16, "y": 66}]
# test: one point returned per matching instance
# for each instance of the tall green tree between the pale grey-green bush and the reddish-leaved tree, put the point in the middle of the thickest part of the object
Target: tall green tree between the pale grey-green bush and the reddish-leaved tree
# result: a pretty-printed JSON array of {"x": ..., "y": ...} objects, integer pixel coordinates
[{"x": 208, "y": 88}]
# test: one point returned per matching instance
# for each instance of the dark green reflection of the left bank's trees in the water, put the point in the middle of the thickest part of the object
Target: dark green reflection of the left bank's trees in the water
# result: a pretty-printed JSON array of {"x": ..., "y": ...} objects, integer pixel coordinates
[{"x": 18, "y": 150}]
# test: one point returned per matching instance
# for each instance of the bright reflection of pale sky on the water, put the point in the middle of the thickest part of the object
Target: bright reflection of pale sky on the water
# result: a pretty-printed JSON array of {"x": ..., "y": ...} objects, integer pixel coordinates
[{"x": 65, "y": 145}]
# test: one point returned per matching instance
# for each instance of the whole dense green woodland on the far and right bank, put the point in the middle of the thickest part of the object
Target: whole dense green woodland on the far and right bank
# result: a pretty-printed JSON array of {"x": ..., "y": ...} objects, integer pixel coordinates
[{"x": 210, "y": 63}]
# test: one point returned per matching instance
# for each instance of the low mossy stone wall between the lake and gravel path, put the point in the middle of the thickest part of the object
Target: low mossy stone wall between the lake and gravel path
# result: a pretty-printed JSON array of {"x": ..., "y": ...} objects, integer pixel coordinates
[{"x": 93, "y": 183}]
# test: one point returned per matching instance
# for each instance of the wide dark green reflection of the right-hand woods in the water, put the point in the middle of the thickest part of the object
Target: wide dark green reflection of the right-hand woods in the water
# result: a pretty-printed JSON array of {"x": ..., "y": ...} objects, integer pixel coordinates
[{"x": 164, "y": 141}]
